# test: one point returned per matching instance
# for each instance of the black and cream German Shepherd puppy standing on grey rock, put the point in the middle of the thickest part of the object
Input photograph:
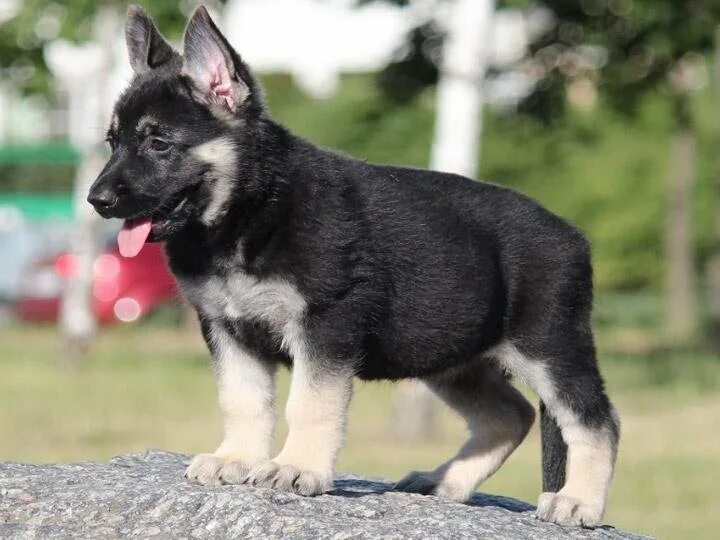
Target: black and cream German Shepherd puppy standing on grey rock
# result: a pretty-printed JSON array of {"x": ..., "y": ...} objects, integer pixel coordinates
[{"x": 340, "y": 268}]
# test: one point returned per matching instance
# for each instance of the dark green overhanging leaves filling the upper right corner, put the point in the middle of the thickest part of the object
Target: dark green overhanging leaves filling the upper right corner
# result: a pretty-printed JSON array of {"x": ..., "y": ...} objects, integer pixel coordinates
[{"x": 643, "y": 40}]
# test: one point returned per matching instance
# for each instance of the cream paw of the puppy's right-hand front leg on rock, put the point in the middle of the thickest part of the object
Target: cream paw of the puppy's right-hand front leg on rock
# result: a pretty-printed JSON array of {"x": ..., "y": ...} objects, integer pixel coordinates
[{"x": 289, "y": 478}]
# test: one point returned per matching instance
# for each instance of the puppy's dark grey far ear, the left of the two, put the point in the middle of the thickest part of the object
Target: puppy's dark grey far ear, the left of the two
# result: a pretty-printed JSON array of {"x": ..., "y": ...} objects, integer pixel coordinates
[{"x": 147, "y": 49}]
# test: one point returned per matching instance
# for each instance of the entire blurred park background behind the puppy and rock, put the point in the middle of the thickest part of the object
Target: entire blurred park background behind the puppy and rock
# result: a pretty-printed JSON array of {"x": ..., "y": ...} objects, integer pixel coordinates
[{"x": 606, "y": 111}]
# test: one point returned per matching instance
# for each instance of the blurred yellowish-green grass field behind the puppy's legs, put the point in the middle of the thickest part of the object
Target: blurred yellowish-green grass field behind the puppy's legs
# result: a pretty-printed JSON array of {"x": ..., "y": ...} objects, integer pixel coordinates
[{"x": 151, "y": 386}]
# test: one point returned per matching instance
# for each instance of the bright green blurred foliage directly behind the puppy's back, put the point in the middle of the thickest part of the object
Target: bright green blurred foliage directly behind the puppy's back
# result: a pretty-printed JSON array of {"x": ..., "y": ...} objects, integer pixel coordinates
[{"x": 597, "y": 168}]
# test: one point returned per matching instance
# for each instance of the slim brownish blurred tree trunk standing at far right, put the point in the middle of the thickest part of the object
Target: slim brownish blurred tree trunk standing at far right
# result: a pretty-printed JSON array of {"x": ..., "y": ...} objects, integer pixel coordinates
[{"x": 681, "y": 313}]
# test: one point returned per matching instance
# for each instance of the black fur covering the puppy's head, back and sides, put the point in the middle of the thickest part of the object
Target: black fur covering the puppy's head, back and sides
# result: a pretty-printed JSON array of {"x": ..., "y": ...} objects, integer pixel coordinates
[{"x": 405, "y": 273}]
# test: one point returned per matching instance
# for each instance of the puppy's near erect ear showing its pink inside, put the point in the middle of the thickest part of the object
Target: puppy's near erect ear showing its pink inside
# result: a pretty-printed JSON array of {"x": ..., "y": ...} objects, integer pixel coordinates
[{"x": 209, "y": 63}]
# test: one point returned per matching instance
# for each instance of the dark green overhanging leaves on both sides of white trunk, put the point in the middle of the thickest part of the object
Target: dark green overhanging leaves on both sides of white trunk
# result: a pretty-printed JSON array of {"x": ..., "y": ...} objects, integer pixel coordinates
[{"x": 642, "y": 41}]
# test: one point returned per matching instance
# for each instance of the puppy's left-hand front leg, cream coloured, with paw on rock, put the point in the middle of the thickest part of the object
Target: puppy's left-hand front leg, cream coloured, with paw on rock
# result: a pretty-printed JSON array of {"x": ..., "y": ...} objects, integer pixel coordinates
[{"x": 246, "y": 389}]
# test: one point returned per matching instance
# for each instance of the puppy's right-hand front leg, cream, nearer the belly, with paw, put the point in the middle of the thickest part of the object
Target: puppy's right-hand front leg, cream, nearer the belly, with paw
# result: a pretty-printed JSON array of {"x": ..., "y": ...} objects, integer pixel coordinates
[{"x": 316, "y": 412}]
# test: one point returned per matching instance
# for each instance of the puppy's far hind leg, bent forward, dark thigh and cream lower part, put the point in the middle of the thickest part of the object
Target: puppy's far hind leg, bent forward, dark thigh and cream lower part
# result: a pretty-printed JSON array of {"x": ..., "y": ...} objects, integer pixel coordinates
[{"x": 498, "y": 418}]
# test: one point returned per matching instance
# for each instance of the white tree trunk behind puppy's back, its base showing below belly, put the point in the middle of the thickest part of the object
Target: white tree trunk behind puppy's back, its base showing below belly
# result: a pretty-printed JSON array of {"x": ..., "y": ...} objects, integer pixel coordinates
[{"x": 456, "y": 148}]
